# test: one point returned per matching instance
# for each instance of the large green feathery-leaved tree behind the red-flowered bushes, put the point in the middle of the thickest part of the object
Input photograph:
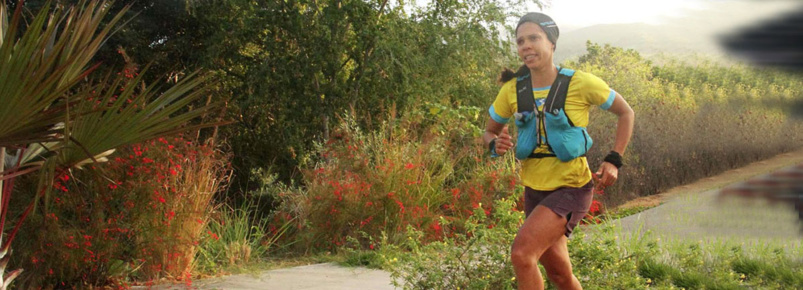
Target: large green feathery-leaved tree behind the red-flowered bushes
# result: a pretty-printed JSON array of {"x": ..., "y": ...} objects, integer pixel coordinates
[{"x": 294, "y": 66}]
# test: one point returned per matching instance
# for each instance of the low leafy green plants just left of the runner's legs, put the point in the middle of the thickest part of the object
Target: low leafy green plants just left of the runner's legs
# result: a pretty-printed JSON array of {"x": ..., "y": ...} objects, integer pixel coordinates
[{"x": 474, "y": 259}]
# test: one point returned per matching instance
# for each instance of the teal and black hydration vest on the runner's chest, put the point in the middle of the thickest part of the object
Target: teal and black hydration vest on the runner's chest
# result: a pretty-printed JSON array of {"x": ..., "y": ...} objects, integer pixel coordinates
[{"x": 564, "y": 140}]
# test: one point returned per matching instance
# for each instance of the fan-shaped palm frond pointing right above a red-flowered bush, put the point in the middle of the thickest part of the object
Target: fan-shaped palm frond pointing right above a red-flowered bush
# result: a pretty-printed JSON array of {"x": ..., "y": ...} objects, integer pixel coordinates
[{"x": 130, "y": 116}]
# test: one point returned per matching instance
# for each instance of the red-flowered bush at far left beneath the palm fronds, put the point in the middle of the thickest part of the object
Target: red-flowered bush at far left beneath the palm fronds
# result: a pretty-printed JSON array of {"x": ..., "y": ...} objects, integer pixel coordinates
[{"x": 137, "y": 217}]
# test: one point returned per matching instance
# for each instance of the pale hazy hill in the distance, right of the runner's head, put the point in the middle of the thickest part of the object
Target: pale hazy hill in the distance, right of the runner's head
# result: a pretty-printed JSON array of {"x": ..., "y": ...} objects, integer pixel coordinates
[{"x": 696, "y": 32}]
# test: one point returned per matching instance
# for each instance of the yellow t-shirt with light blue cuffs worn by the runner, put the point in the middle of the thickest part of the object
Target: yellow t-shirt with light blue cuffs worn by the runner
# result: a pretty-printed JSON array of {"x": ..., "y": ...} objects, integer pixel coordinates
[{"x": 550, "y": 173}]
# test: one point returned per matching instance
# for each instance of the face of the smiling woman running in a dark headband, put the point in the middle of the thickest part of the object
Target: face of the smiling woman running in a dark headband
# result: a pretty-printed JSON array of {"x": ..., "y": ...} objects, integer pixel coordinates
[{"x": 534, "y": 47}]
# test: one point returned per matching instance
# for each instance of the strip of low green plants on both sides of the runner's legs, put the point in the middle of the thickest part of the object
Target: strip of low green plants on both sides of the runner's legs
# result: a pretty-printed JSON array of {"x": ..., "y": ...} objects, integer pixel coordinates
[{"x": 600, "y": 258}]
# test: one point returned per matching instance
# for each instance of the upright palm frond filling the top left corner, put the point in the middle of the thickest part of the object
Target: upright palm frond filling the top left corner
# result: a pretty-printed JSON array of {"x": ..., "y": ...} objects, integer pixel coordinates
[{"x": 38, "y": 67}]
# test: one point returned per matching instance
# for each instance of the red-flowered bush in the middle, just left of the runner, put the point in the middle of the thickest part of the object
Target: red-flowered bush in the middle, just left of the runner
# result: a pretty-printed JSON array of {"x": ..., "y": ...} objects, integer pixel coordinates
[{"x": 369, "y": 183}]
